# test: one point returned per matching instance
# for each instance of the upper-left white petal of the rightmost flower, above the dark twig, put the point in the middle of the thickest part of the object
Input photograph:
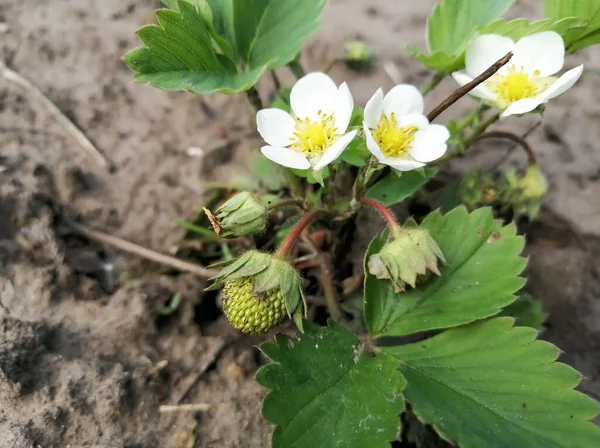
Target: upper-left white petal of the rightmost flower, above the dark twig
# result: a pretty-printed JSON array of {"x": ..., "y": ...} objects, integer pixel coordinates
[{"x": 484, "y": 50}]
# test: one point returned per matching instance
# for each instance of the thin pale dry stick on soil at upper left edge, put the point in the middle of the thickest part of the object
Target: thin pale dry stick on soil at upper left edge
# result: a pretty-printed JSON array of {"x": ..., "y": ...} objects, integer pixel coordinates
[{"x": 75, "y": 132}]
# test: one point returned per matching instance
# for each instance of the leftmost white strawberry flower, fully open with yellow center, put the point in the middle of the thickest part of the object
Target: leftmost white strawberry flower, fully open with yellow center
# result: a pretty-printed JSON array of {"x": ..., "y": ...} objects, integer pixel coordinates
[{"x": 314, "y": 135}]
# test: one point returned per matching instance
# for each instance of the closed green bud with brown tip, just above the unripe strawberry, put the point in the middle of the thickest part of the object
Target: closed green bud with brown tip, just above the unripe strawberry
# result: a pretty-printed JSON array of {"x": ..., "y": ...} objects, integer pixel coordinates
[{"x": 239, "y": 216}]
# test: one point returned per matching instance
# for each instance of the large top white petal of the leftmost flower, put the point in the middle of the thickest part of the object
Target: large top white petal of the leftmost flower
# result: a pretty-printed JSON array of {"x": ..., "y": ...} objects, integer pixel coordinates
[{"x": 313, "y": 93}]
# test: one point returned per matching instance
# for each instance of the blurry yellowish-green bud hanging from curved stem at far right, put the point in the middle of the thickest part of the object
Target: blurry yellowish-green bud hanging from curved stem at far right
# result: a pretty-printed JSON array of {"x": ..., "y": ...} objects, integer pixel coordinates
[{"x": 525, "y": 194}]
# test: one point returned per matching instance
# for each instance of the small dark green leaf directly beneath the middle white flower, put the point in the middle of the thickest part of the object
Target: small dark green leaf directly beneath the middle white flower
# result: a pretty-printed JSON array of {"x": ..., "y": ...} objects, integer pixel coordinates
[{"x": 393, "y": 188}]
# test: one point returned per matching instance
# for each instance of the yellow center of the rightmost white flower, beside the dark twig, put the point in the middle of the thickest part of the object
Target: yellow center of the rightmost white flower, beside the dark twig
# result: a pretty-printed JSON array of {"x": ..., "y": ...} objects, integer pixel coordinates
[{"x": 515, "y": 85}]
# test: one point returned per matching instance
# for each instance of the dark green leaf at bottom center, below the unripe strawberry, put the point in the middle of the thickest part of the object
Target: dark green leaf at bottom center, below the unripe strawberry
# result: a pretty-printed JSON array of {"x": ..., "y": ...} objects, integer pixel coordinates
[{"x": 326, "y": 392}]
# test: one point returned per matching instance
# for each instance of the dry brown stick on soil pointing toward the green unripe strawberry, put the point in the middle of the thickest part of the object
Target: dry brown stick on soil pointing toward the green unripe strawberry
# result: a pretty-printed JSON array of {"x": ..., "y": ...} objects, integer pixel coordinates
[{"x": 141, "y": 251}]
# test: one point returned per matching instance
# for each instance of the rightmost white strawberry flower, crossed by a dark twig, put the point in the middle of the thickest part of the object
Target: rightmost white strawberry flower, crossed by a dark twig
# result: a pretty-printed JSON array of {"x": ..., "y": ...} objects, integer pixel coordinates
[{"x": 526, "y": 81}]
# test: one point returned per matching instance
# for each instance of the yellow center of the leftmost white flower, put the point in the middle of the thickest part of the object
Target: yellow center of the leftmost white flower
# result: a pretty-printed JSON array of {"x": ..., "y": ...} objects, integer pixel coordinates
[{"x": 314, "y": 137}]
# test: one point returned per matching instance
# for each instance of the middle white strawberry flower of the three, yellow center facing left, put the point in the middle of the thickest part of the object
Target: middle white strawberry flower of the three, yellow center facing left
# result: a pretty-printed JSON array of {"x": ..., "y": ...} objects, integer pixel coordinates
[{"x": 398, "y": 133}]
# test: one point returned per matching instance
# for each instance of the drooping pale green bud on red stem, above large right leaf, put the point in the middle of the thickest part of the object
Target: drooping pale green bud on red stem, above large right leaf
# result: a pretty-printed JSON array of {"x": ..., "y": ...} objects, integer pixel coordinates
[{"x": 409, "y": 254}]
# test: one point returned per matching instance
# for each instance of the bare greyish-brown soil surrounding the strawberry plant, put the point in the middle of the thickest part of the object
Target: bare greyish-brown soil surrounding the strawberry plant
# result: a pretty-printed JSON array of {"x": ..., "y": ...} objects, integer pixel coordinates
[{"x": 85, "y": 361}]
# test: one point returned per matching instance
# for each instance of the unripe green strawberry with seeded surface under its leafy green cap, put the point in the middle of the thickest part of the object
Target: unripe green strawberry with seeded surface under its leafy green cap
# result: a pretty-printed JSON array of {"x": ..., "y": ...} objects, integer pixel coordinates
[{"x": 259, "y": 290}]
